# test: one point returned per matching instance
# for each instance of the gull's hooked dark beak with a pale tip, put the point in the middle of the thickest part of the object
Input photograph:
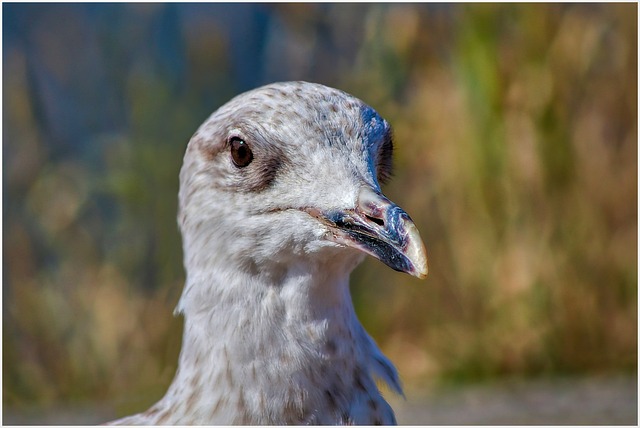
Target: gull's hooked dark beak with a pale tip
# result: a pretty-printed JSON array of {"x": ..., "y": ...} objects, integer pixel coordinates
[{"x": 382, "y": 229}]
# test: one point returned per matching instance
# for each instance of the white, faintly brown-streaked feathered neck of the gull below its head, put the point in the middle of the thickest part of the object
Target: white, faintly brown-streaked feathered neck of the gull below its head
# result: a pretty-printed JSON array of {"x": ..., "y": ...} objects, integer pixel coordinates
[{"x": 278, "y": 337}]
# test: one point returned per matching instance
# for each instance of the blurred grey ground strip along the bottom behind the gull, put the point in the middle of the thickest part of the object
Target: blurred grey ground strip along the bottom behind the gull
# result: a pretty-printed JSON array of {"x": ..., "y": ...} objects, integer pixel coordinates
[{"x": 577, "y": 401}]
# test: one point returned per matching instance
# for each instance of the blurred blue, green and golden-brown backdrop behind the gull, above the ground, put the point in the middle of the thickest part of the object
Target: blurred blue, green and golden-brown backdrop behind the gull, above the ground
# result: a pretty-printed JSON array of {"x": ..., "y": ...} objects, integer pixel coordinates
[{"x": 516, "y": 154}]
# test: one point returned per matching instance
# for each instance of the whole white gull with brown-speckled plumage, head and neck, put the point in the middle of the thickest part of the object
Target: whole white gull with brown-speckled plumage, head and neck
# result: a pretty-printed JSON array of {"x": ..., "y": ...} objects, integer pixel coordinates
[{"x": 279, "y": 201}]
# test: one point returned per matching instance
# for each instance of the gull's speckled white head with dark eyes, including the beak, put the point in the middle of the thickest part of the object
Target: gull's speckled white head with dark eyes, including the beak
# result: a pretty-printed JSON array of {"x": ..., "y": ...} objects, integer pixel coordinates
[{"x": 291, "y": 172}]
